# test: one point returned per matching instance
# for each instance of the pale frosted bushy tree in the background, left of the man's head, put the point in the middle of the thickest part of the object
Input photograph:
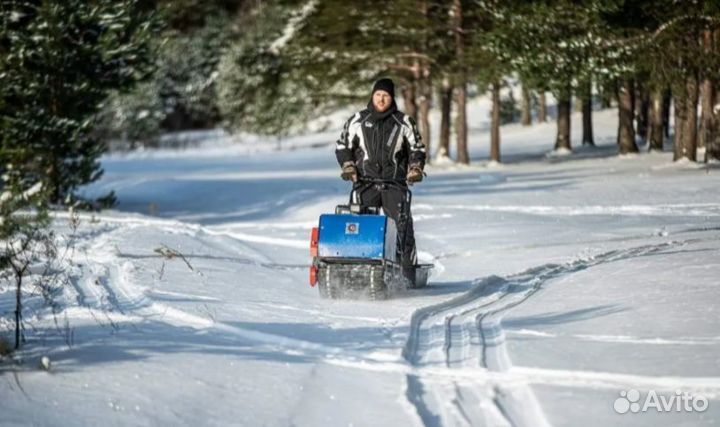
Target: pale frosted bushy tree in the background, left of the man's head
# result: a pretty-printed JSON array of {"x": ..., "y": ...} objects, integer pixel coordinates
[{"x": 258, "y": 88}]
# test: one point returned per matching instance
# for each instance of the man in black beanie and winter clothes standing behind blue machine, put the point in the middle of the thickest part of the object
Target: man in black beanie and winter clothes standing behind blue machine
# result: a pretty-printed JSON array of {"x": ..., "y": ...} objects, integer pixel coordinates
[{"x": 381, "y": 142}]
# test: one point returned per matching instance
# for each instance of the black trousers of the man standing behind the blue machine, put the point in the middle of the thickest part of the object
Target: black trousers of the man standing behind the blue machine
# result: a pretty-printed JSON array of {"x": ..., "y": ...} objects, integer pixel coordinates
[{"x": 396, "y": 205}]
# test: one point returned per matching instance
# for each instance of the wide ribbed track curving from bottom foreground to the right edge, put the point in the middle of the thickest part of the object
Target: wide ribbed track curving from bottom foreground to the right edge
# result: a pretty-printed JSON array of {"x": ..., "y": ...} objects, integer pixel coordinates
[{"x": 466, "y": 332}]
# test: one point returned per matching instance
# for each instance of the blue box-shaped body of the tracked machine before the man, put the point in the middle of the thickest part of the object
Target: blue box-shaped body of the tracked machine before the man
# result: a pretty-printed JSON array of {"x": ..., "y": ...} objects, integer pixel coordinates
[{"x": 357, "y": 236}]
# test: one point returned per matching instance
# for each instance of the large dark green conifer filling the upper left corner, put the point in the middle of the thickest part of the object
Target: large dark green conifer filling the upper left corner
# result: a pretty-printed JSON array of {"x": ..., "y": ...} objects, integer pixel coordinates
[{"x": 60, "y": 61}]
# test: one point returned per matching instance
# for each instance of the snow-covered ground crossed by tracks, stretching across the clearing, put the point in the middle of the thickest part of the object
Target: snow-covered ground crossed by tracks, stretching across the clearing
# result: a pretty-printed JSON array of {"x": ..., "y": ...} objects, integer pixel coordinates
[{"x": 560, "y": 282}]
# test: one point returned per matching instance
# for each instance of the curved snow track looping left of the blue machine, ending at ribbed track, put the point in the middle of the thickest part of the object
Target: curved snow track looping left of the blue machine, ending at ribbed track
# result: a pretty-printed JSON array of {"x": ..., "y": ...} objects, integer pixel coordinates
[{"x": 116, "y": 285}]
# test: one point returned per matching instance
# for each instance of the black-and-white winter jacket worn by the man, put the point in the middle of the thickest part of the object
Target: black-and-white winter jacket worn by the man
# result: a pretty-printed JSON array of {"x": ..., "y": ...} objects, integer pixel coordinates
[{"x": 381, "y": 145}]
